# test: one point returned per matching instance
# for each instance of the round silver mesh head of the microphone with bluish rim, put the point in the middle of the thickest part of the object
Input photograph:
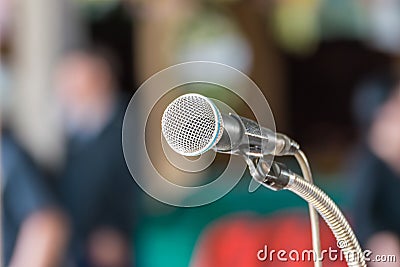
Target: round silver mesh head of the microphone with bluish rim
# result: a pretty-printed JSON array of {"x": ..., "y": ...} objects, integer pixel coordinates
[{"x": 191, "y": 124}]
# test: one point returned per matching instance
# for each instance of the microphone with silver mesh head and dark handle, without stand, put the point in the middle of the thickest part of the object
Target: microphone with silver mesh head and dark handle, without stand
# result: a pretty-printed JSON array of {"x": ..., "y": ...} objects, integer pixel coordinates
[{"x": 192, "y": 125}]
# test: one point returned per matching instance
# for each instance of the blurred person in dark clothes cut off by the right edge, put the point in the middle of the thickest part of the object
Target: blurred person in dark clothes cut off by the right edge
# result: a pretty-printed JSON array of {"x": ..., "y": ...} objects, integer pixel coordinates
[{"x": 377, "y": 215}]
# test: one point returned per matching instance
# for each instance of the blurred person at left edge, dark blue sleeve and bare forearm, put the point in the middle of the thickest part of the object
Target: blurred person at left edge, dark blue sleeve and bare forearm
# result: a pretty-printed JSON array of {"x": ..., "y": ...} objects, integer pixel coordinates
[{"x": 35, "y": 231}]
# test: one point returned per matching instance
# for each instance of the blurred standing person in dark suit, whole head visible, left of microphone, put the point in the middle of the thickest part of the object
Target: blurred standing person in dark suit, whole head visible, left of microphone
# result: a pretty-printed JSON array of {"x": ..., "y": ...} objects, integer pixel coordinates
[{"x": 94, "y": 185}]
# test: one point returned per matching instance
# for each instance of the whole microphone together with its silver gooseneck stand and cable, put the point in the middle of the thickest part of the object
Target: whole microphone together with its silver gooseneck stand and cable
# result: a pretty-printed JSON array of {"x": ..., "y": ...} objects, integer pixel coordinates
[{"x": 192, "y": 125}]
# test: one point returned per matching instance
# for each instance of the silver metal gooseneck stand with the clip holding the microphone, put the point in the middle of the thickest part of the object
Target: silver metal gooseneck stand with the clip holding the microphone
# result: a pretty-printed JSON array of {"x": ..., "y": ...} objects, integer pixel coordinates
[{"x": 278, "y": 177}]
